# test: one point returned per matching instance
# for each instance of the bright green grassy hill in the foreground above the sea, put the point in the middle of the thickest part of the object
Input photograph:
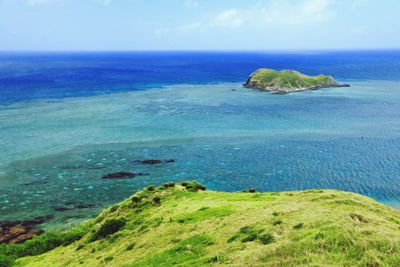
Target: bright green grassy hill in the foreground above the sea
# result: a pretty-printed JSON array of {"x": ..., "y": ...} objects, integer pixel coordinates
[{"x": 182, "y": 225}]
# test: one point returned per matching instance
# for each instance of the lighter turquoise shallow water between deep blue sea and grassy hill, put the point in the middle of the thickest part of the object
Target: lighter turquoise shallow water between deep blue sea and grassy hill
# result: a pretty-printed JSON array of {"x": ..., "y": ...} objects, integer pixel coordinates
[{"x": 54, "y": 152}]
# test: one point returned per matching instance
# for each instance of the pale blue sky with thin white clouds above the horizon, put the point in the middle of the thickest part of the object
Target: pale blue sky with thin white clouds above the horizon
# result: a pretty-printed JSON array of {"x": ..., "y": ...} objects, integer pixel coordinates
[{"x": 113, "y": 25}]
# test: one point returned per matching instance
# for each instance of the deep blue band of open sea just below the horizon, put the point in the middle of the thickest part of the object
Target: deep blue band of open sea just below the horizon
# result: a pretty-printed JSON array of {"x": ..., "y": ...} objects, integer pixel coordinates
[{"x": 27, "y": 76}]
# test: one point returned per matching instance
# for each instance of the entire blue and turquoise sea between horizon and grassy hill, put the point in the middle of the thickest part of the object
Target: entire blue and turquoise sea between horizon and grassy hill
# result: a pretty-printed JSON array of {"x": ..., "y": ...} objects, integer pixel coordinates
[{"x": 67, "y": 119}]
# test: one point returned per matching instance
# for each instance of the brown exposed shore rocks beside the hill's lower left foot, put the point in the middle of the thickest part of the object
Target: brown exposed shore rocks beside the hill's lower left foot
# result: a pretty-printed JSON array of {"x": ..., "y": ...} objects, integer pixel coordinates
[{"x": 13, "y": 232}]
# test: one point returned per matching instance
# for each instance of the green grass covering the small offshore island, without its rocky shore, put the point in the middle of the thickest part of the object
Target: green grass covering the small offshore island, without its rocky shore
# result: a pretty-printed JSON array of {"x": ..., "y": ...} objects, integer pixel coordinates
[{"x": 288, "y": 79}]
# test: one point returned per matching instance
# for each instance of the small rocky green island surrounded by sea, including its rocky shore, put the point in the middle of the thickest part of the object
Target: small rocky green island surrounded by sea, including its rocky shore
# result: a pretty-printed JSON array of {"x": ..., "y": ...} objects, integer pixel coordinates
[{"x": 288, "y": 81}]
